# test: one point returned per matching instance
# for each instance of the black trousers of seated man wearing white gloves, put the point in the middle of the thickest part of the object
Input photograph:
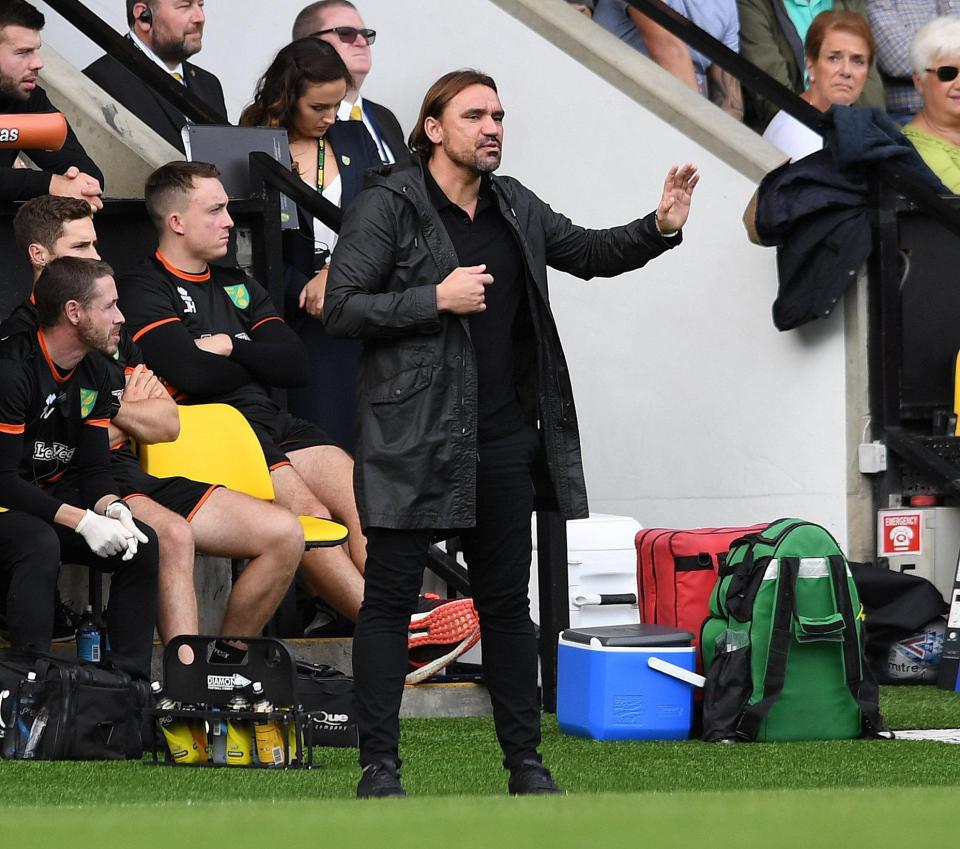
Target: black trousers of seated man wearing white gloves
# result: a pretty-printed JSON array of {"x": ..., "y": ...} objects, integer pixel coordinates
[{"x": 31, "y": 551}]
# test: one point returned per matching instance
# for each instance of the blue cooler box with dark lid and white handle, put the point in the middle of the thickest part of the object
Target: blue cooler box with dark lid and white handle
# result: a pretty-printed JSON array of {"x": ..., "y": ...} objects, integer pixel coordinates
[{"x": 608, "y": 688}]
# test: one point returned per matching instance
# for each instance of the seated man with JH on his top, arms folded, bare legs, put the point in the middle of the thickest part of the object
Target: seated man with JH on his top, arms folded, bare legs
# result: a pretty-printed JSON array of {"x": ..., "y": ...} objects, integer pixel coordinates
[{"x": 213, "y": 335}]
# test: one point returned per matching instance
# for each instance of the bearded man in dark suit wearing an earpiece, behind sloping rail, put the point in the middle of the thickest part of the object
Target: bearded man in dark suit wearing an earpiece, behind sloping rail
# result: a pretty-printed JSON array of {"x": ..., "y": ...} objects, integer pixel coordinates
[{"x": 168, "y": 32}]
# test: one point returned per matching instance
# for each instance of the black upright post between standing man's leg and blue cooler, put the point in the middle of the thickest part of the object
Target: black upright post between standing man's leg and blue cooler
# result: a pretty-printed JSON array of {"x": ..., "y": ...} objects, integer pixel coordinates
[{"x": 554, "y": 599}]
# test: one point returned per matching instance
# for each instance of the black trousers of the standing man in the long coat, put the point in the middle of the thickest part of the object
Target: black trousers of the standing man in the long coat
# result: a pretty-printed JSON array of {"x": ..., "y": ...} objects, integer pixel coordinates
[{"x": 497, "y": 552}]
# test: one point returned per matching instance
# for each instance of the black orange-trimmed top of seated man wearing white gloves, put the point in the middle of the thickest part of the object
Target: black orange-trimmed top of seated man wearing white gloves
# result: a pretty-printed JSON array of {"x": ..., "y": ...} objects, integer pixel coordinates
[{"x": 51, "y": 420}]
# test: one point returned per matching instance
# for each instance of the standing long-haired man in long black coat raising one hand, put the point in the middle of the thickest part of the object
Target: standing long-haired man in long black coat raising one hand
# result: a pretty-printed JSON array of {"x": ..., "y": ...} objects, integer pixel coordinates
[{"x": 442, "y": 269}]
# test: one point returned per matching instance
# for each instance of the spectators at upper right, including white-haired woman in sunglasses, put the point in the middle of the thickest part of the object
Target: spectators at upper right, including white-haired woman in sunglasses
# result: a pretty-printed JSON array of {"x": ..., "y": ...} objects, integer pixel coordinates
[{"x": 873, "y": 53}]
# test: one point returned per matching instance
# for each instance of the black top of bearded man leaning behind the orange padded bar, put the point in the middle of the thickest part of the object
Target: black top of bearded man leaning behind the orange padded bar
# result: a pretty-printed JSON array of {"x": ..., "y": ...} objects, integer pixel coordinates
[{"x": 25, "y": 183}]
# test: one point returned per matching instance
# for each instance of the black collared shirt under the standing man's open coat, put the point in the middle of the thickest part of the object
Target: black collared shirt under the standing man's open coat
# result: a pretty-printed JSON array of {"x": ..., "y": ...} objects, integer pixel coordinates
[{"x": 488, "y": 240}]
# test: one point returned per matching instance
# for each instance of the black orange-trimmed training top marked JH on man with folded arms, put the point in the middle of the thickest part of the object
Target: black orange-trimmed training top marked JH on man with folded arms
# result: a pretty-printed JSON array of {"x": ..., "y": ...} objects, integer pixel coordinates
[{"x": 168, "y": 309}]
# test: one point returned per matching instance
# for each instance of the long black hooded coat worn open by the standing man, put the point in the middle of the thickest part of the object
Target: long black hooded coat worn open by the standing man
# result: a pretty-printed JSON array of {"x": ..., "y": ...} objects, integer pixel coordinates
[{"x": 416, "y": 449}]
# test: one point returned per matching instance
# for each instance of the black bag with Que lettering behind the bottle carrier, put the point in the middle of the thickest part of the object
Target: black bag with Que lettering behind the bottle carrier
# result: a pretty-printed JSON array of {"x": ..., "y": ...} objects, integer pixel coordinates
[{"x": 326, "y": 695}]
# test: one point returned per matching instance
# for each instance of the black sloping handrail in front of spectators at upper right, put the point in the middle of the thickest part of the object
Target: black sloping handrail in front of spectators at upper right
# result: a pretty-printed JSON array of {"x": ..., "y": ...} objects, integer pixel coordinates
[{"x": 760, "y": 82}]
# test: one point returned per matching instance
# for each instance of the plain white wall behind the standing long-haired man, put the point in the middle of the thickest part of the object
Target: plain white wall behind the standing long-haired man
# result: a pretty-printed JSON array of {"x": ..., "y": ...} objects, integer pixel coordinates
[{"x": 693, "y": 409}]
